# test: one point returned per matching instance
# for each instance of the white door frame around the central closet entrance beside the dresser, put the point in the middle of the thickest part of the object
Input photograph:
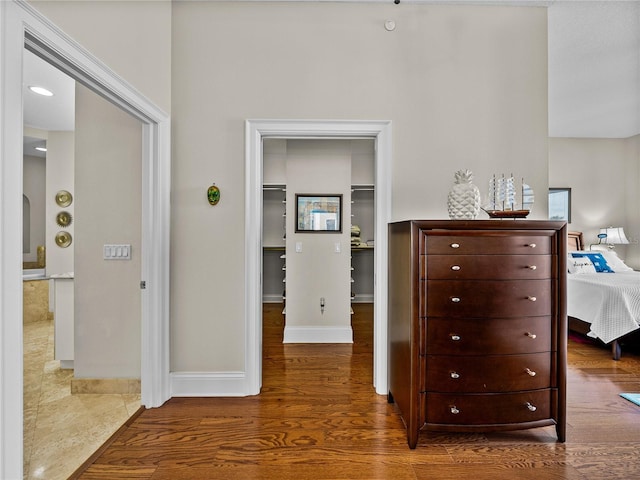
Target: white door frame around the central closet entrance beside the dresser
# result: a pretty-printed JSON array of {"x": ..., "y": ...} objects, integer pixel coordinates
[{"x": 255, "y": 132}]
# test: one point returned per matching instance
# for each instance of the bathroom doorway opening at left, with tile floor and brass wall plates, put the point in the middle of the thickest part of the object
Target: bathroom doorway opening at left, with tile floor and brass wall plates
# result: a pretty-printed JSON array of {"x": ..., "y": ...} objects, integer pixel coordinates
[{"x": 60, "y": 393}]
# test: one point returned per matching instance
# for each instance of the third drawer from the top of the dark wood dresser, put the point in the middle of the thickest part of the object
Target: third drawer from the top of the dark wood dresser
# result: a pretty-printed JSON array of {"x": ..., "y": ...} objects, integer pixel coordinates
[{"x": 487, "y": 298}]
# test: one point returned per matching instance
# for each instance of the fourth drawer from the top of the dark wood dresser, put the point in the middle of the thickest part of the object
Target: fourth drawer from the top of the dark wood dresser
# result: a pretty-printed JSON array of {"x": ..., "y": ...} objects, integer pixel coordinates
[{"x": 464, "y": 336}]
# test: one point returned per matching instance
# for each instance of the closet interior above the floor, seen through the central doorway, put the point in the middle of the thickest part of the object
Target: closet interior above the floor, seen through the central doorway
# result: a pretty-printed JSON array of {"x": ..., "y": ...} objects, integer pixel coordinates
[{"x": 318, "y": 275}]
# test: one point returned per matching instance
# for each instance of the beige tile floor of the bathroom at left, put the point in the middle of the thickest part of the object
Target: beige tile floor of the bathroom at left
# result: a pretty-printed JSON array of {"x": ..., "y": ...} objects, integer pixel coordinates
[{"x": 62, "y": 430}]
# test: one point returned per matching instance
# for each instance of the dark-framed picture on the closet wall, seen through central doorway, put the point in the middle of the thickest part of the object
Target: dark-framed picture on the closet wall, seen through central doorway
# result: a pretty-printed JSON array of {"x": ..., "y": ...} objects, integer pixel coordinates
[{"x": 318, "y": 213}]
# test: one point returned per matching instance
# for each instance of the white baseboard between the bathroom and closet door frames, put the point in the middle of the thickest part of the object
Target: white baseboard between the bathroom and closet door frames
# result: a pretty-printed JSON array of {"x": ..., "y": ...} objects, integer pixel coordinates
[{"x": 208, "y": 384}]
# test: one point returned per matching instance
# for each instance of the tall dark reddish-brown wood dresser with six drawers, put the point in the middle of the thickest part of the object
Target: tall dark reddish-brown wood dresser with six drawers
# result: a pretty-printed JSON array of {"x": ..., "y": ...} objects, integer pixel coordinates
[{"x": 477, "y": 325}]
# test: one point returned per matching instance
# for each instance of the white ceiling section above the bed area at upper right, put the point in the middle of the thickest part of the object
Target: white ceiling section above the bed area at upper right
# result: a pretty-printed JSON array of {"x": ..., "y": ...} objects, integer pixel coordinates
[{"x": 594, "y": 69}]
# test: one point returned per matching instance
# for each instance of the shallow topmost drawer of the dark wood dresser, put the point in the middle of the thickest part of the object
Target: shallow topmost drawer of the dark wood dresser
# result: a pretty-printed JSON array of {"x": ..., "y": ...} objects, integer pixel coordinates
[{"x": 494, "y": 243}]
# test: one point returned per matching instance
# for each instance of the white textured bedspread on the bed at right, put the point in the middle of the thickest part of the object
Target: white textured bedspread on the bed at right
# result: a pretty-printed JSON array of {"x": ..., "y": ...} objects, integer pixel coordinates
[{"x": 610, "y": 302}]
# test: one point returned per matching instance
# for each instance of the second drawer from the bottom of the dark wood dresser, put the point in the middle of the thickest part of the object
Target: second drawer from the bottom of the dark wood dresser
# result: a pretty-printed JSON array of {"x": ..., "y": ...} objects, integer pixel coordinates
[{"x": 490, "y": 373}]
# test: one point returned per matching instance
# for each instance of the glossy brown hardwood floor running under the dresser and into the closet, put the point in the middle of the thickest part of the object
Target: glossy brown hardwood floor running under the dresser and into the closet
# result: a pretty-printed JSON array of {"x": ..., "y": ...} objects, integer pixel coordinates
[{"x": 319, "y": 418}]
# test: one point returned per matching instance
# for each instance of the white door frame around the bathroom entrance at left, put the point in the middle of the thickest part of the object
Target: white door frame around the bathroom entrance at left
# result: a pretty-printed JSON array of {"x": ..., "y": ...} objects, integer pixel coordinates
[{"x": 20, "y": 25}]
